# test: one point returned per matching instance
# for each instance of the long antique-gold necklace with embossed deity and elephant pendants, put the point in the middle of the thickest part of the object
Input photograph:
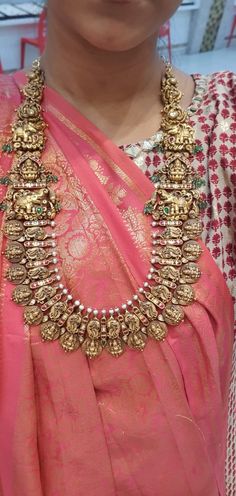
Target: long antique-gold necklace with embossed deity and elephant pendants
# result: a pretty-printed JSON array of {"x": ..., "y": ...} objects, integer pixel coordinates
[{"x": 31, "y": 206}]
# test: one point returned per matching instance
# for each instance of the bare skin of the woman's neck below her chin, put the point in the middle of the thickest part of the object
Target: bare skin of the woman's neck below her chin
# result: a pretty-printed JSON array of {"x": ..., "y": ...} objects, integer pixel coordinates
[{"x": 118, "y": 91}]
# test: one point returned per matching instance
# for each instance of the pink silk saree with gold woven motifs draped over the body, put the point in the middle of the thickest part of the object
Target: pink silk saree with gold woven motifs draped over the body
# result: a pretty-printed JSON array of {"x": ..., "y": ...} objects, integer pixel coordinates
[{"x": 151, "y": 423}]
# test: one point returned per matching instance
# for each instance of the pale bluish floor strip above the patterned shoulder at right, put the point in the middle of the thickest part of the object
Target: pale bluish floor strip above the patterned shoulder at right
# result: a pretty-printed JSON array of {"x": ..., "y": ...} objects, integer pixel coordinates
[{"x": 218, "y": 60}]
